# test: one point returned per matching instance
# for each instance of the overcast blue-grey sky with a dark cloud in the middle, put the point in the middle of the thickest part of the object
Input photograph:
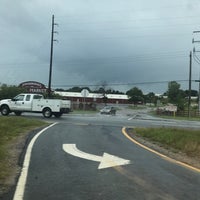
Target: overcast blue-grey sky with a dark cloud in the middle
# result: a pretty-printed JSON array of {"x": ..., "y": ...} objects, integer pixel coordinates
[{"x": 124, "y": 43}]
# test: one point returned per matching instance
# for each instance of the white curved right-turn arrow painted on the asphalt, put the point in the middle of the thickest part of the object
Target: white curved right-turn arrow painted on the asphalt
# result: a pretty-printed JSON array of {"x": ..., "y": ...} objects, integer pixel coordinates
[{"x": 106, "y": 160}]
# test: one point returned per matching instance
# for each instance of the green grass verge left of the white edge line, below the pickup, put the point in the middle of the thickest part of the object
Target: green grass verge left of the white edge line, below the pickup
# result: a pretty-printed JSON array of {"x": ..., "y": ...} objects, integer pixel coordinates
[{"x": 10, "y": 129}]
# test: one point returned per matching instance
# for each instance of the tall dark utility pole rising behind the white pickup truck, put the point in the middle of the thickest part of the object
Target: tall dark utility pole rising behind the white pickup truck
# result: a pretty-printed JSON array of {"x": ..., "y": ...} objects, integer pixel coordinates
[{"x": 51, "y": 56}]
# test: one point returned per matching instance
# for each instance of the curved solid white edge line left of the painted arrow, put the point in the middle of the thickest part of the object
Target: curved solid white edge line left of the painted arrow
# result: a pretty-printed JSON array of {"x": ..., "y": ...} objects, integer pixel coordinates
[{"x": 19, "y": 192}]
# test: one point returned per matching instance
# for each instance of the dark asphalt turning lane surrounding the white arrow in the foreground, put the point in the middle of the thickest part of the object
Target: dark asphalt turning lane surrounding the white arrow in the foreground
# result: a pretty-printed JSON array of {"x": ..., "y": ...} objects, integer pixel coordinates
[{"x": 55, "y": 174}]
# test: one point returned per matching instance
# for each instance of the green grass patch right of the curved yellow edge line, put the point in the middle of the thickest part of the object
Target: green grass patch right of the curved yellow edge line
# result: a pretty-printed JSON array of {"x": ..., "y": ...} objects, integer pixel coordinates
[{"x": 187, "y": 141}]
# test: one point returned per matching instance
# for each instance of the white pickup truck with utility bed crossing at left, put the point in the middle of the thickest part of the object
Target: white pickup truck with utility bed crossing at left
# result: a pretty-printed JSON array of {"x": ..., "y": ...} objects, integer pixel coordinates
[{"x": 35, "y": 103}]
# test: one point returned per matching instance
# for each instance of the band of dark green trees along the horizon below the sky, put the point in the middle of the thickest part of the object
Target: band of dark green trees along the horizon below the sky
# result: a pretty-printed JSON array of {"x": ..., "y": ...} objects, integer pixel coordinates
[{"x": 175, "y": 94}]
